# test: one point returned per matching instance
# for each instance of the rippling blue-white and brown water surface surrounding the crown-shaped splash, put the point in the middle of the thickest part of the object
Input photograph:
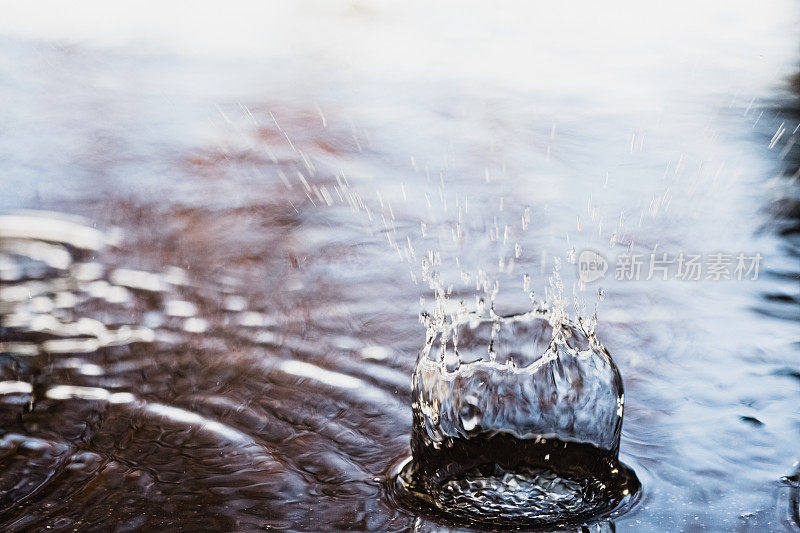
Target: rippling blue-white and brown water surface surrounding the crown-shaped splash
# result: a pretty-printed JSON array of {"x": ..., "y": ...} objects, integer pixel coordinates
[{"x": 225, "y": 339}]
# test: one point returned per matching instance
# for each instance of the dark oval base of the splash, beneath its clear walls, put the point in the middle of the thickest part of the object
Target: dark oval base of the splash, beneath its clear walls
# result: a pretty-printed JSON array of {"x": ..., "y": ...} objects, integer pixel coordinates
[{"x": 498, "y": 481}]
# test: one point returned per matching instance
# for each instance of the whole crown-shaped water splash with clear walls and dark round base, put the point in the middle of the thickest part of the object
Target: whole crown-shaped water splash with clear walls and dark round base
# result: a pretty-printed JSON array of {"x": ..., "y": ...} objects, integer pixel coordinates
[{"x": 517, "y": 421}]
